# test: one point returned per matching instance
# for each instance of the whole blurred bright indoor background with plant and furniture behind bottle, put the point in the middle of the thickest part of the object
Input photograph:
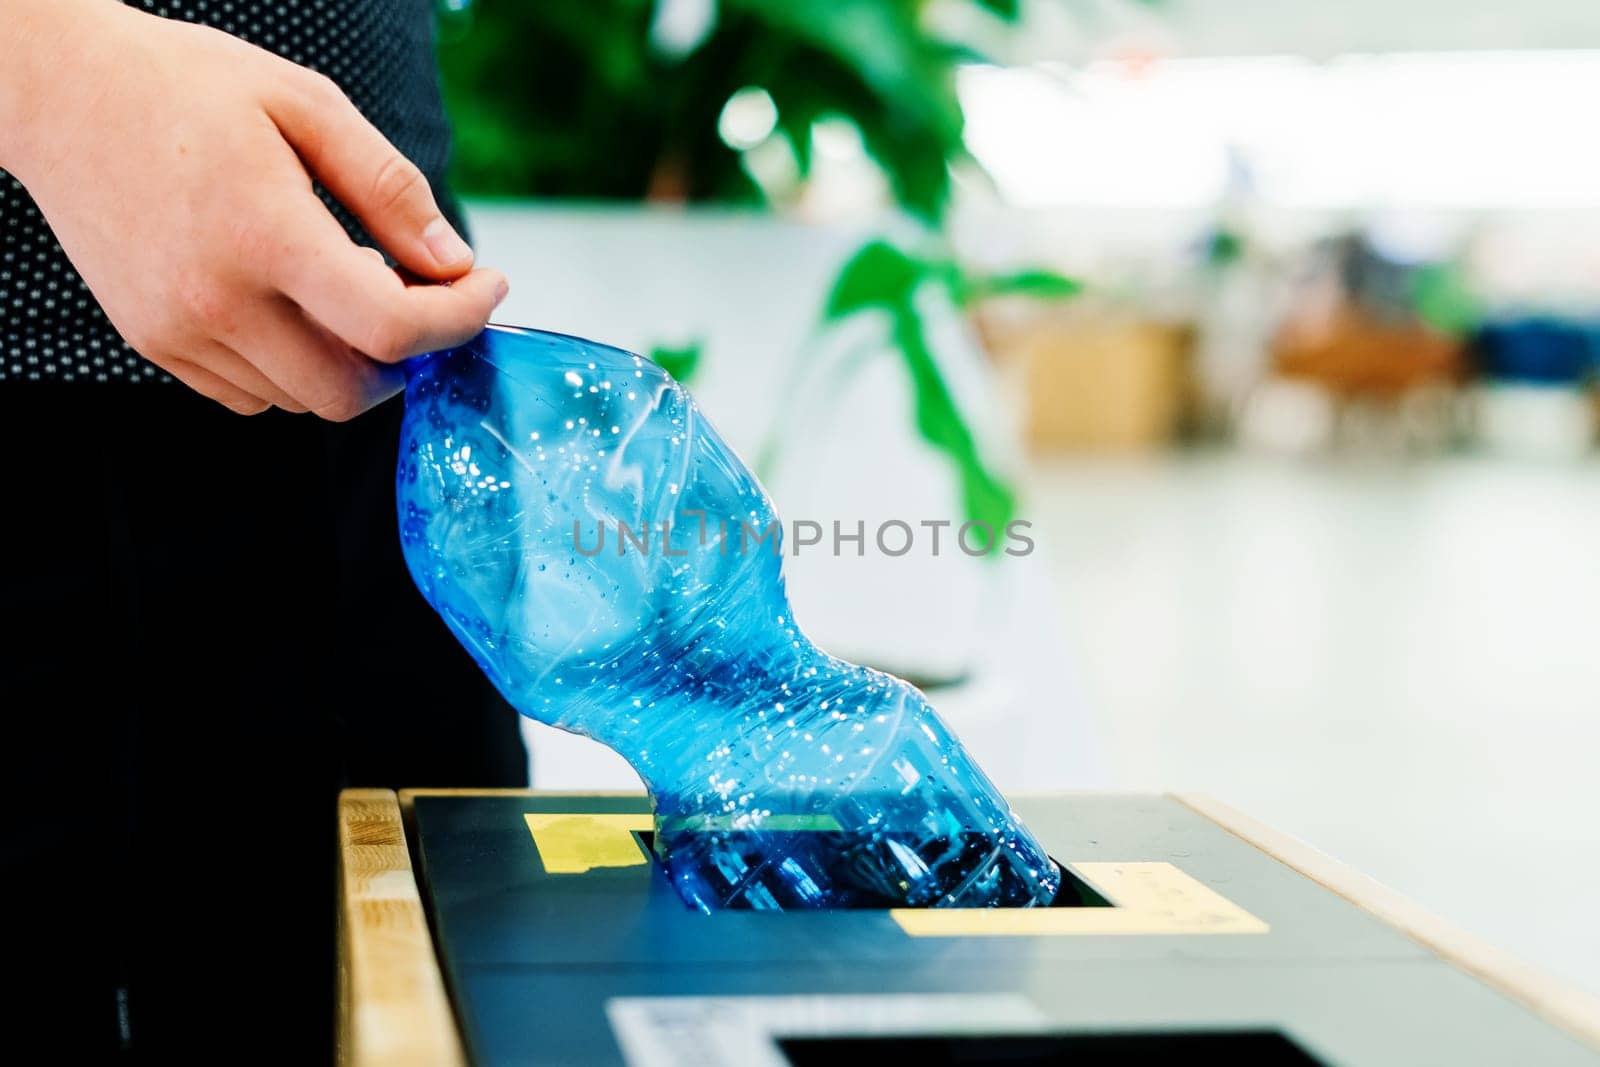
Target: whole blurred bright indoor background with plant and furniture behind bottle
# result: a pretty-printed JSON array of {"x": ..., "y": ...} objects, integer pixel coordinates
[{"x": 1278, "y": 321}]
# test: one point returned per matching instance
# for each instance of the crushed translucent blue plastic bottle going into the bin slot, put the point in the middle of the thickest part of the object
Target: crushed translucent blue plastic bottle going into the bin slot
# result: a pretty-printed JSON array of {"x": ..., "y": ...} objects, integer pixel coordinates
[{"x": 617, "y": 570}]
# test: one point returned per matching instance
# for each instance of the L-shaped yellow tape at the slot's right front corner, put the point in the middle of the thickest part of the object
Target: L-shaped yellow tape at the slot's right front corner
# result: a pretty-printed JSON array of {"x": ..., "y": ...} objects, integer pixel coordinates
[{"x": 1148, "y": 898}]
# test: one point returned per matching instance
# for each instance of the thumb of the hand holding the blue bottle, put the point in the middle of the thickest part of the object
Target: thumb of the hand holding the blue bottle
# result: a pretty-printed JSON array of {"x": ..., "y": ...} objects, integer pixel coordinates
[{"x": 370, "y": 177}]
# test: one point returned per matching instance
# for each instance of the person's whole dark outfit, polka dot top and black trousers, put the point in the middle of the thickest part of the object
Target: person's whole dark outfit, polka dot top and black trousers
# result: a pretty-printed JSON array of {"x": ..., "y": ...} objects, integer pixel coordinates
[{"x": 210, "y": 633}]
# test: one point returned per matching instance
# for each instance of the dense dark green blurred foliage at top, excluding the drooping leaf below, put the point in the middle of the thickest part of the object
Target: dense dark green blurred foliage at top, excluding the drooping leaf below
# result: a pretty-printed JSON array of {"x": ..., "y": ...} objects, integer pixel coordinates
[{"x": 594, "y": 98}]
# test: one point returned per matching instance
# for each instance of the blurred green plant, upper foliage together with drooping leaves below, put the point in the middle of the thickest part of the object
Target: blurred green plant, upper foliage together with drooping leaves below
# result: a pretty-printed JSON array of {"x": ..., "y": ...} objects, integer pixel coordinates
[{"x": 607, "y": 100}]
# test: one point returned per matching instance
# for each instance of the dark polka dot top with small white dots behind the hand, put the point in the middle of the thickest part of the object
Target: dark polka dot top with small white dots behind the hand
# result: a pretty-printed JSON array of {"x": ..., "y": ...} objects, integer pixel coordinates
[{"x": 380, "y": 52}]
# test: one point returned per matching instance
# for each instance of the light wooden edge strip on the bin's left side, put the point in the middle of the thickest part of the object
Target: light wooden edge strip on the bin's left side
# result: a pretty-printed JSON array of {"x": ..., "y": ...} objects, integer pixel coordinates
[{"x": 393, "y": 1004}]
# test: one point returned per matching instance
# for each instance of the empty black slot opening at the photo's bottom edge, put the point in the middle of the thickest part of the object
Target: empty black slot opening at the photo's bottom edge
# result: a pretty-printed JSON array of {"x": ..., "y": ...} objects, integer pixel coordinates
[{"x": 1238, "y": 1049}]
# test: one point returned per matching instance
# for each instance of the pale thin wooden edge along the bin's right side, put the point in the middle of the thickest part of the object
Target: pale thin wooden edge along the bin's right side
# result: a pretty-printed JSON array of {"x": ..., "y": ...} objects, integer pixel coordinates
[{"x": 1553, "y": 1001}]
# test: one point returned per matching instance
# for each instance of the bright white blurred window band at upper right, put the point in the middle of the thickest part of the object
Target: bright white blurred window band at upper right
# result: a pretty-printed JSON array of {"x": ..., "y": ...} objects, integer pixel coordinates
[{"x": 1438, "y": 130}]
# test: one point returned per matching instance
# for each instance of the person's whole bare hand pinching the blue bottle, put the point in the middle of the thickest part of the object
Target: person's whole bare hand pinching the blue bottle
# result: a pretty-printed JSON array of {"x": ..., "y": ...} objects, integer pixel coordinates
[{"x": 175, "y": 166}]
